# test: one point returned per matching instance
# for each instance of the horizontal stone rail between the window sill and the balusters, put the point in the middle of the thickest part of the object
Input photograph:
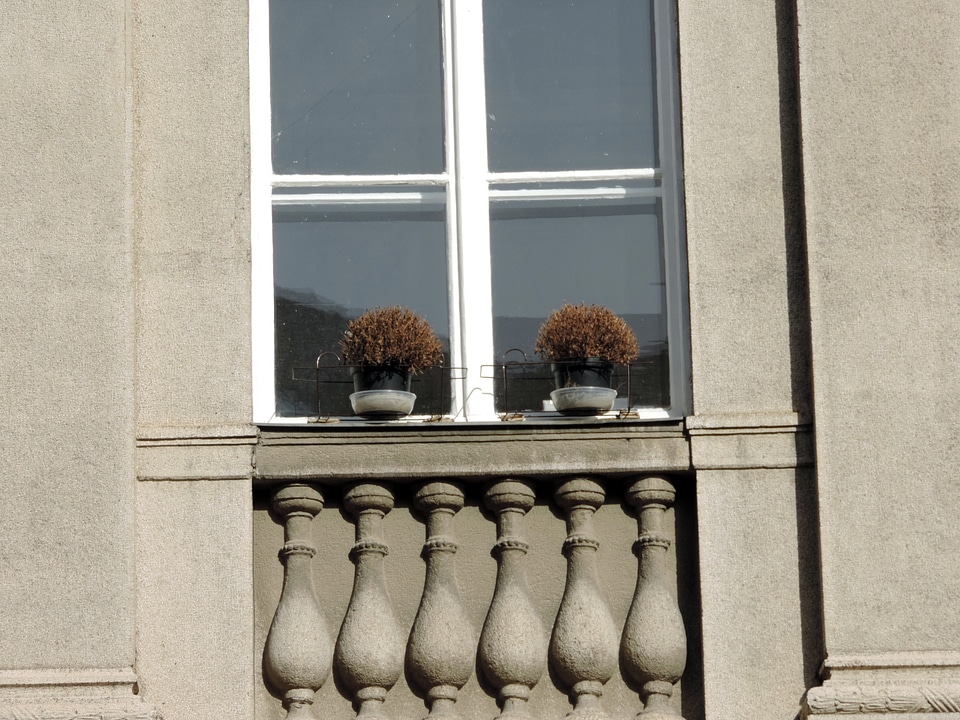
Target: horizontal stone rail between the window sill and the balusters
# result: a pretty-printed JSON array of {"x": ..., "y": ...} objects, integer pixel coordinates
[{"x": 470, "y": 453}]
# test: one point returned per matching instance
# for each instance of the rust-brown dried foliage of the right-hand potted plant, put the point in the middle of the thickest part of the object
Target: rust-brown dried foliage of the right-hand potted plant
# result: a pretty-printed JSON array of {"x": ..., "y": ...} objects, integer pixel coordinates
[{"x": 586, "y": 331}]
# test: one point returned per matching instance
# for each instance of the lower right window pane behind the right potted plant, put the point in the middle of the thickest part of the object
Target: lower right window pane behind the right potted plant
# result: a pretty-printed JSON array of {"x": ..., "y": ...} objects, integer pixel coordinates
[{"x": 604, "y": 252}]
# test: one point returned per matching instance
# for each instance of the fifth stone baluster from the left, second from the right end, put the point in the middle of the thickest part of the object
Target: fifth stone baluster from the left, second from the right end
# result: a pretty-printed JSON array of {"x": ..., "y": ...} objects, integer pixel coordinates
[{"x": 583, "y": 647}]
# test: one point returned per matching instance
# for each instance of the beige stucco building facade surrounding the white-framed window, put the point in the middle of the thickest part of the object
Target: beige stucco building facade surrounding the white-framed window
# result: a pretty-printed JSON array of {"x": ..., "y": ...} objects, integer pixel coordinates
[{"x": 813, "y": 542}]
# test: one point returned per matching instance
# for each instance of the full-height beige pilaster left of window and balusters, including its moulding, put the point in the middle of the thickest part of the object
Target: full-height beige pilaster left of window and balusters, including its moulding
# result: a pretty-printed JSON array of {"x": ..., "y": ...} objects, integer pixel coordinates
[{"x": 192, "y": 231}]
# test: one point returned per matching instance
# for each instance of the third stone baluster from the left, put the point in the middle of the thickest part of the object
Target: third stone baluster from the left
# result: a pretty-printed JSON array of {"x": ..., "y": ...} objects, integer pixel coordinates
[{"x": 440, "y": 651}]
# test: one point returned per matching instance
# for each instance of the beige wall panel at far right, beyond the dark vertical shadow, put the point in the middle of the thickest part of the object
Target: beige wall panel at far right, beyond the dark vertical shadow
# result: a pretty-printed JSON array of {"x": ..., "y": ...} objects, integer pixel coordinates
[{"x": 882, "y": 175}]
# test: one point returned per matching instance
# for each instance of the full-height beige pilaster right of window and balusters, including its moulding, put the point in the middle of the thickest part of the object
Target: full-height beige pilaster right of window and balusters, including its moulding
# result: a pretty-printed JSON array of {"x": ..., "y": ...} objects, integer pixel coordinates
[{"x": 758, "y": 581}]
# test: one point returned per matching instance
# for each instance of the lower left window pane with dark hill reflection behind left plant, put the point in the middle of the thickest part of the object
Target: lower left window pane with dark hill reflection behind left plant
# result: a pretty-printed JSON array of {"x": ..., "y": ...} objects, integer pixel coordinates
[{"x": 330, "y": 264}]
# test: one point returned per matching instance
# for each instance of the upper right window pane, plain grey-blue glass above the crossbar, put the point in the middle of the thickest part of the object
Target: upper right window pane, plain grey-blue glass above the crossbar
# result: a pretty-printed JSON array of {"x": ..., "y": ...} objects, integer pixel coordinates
[{"x": 570, "y": 85}]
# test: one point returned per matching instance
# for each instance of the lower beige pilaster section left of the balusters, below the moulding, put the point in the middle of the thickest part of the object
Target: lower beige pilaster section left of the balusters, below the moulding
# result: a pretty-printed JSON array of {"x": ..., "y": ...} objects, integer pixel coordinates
[{"x": 194, "y": 654}]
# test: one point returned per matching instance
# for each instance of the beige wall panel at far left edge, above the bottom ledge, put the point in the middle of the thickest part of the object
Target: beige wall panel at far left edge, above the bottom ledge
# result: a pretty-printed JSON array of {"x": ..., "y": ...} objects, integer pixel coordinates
[{"x": 66, "y": 339}]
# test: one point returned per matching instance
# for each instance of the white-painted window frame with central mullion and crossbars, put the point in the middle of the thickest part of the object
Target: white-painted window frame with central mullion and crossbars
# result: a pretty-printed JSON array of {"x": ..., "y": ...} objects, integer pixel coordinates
[{"x": 466, "y": 184}]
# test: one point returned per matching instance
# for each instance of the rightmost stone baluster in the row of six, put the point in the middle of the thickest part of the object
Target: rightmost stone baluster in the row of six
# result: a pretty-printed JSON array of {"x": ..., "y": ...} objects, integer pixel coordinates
[{"x": 653, "y": 648}]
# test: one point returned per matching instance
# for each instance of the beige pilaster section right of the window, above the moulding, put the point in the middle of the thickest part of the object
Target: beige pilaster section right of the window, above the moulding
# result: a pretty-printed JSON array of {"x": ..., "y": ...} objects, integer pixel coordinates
[{"x": 743, "y": 230}]
